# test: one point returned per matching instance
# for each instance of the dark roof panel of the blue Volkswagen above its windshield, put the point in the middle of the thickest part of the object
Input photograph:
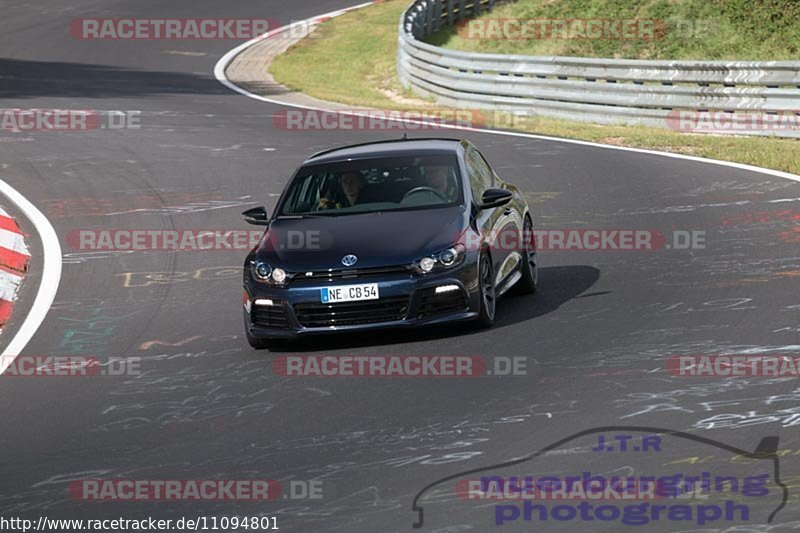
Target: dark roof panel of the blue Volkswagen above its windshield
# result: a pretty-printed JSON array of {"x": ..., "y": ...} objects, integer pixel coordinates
[{"x": 390, "y": 148}]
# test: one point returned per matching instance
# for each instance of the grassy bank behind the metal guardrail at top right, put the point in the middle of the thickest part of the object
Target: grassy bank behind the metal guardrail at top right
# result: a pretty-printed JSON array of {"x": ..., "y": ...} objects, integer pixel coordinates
[{"x": 734, "y": 30}]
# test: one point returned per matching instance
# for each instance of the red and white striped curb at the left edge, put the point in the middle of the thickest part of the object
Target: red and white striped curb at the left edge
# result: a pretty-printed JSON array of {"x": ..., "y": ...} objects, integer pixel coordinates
[{"x": 14, "y": 259}]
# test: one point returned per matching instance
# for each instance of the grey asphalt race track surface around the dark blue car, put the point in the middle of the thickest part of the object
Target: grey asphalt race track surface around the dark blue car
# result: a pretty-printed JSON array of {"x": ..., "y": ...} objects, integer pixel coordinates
[{"x": 207, "y": 406}]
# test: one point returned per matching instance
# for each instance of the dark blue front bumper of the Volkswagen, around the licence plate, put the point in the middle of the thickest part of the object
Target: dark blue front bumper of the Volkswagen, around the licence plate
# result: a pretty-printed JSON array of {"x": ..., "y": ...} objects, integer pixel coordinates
[{"x": 407, "y": 300}]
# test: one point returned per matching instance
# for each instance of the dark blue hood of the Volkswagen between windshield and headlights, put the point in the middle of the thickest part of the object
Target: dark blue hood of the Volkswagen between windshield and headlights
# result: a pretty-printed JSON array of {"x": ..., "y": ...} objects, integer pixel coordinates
[{"x": 376, "y": 239}]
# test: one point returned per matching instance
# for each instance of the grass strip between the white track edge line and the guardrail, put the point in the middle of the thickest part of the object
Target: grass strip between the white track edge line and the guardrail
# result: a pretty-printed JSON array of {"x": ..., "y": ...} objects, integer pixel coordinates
[{"x": 352, "y": 61}]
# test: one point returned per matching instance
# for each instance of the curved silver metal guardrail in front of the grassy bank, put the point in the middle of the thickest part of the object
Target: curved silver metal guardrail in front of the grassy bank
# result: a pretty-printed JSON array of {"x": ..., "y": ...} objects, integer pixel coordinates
[{"x": 742, "y": 97}]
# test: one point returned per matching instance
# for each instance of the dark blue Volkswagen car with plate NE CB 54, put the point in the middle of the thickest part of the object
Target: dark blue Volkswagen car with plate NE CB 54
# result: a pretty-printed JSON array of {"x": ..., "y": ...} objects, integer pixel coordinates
[{"x": 403, "y": 233}]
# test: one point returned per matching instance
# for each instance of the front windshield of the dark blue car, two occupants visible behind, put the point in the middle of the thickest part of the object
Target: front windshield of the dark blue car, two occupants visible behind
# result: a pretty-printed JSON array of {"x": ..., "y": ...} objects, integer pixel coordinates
[{"x": 370, "y": 185}]
